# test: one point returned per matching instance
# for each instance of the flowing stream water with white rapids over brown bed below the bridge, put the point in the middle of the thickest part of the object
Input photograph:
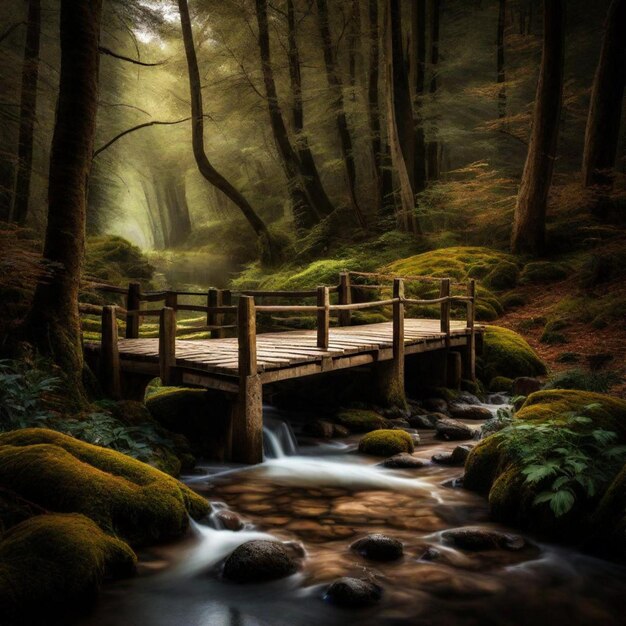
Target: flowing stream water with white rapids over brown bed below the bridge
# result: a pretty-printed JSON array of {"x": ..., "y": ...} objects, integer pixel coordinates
[{"x": 323, "y": 495}]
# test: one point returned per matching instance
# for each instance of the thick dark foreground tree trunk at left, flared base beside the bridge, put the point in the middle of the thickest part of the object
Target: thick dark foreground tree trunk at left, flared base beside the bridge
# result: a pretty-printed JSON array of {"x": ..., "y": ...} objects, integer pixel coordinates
[{"x": 53, "y": 324}]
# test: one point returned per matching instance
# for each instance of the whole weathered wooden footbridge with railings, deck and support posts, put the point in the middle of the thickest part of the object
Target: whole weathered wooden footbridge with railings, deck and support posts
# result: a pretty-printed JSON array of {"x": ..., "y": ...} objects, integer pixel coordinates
[{"x": 241, "y": 364}]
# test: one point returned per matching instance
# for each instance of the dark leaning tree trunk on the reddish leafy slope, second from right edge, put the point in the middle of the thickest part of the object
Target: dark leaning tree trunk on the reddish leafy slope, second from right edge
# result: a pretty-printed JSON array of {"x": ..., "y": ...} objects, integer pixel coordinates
[{"x": 530, "y": 212}]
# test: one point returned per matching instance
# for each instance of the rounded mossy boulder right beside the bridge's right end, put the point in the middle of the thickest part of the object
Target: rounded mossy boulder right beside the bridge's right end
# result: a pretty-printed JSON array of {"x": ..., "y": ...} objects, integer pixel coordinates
[{"x": 508, "y": 354}]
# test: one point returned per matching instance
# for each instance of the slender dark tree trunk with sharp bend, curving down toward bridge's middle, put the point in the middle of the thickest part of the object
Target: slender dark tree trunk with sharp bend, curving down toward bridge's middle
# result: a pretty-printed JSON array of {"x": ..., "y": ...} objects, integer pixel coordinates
[{"x": 197, "y": 126}]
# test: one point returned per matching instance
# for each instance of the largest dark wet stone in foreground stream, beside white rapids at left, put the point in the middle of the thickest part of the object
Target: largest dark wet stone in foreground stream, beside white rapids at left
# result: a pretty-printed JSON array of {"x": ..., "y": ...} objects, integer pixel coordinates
[{"x": 259, "y": 561}]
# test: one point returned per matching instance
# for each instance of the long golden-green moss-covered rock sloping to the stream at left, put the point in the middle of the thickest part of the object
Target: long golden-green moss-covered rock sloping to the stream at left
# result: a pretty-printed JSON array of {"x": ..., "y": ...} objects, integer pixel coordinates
[{"x": 124, "y": 496}]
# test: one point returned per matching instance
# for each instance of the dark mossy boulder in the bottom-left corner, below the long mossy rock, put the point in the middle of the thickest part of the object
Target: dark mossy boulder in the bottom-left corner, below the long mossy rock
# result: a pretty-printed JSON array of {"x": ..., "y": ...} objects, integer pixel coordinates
[{"x": 51, "y": 562}]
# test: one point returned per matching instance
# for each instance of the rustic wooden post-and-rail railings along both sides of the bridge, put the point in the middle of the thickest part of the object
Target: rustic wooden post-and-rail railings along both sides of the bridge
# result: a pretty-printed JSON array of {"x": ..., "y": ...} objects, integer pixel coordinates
[{"x": 219, "y": 307}]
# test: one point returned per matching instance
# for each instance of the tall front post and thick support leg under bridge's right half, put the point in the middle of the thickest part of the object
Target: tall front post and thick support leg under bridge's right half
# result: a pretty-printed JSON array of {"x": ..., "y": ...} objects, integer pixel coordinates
[{"x": 389, "y": 375}]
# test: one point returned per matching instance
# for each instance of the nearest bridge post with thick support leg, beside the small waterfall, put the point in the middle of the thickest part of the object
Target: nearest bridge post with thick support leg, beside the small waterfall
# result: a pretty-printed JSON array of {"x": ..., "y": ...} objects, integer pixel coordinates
[{"x": 247, "y": 415}]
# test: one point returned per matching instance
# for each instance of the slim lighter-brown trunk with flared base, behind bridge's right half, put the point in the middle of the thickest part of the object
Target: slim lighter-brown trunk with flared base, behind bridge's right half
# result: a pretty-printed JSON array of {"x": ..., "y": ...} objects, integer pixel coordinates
[{"x": 406, "y": 217}]
